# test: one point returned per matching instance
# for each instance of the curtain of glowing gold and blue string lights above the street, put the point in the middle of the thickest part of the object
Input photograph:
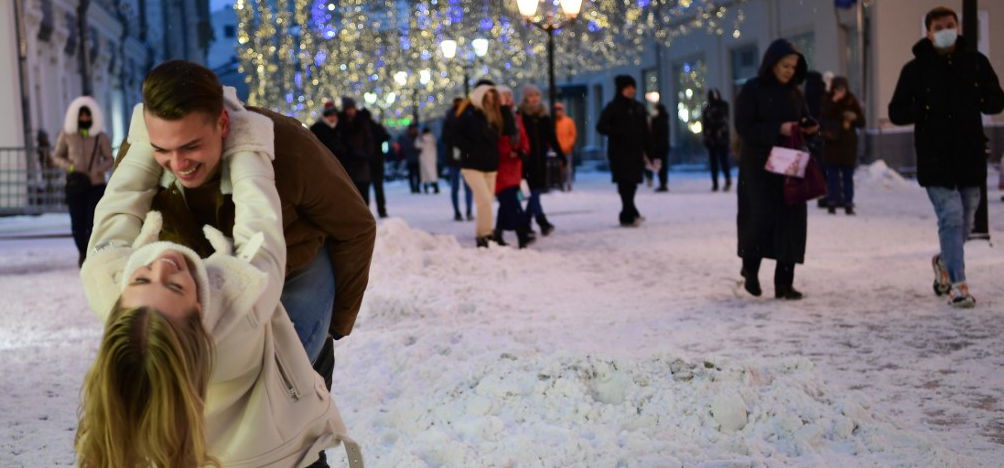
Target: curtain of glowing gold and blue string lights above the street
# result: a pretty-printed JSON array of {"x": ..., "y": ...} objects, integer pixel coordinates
[{"x": 298, "y": 55}]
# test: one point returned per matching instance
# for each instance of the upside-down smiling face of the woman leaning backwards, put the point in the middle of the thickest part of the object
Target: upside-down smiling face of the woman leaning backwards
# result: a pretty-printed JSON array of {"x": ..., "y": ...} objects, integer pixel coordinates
[{"x": 166, "y": 284}]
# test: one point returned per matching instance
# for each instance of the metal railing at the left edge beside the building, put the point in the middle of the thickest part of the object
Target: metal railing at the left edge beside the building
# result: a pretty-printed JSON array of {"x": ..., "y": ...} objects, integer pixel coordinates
[{"x": 30, "y": 184}]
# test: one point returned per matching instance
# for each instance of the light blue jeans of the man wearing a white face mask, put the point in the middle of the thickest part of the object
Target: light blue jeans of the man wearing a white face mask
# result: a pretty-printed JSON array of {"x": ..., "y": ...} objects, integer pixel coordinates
[{"x": 956, "y": 210}]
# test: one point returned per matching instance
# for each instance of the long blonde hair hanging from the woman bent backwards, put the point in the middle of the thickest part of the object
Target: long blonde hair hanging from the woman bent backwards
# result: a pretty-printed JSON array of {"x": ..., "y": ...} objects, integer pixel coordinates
[{"x": 142, "y": 402}]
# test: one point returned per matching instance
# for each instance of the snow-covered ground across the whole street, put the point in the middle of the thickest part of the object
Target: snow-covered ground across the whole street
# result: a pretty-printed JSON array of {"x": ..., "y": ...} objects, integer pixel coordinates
[{"x": 608, "y": 347}]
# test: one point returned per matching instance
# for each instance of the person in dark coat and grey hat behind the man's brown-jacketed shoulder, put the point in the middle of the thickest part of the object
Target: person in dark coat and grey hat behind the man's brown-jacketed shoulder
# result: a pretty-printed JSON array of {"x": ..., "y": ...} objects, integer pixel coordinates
[{"x": 358, "y": 140}]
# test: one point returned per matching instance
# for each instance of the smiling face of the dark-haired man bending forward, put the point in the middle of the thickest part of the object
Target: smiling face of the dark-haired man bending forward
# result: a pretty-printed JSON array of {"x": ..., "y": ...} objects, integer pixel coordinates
[{"x": 190, "y": 147}]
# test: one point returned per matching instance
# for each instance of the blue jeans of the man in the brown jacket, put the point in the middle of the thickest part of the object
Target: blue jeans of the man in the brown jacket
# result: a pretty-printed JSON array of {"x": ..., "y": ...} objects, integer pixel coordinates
[{"x": 309, "y": 296}]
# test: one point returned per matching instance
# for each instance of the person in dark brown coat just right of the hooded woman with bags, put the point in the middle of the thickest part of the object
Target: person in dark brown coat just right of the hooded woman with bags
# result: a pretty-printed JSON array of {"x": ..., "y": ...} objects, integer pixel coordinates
[{"x": 842, "y": 117}]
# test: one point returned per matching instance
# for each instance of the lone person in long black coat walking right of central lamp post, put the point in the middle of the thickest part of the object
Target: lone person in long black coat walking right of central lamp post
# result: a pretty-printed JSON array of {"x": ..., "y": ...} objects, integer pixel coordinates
[{"x": 629, "y": 144}]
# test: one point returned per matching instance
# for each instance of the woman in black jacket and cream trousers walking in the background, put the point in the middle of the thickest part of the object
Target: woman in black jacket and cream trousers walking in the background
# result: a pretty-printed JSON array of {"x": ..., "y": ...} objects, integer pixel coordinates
[{"x": 477, "y": 130}]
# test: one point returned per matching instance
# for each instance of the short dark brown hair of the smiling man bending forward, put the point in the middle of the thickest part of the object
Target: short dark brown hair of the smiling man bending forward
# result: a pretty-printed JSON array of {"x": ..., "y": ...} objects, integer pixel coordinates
[{"x": 176, "y": 89}]
